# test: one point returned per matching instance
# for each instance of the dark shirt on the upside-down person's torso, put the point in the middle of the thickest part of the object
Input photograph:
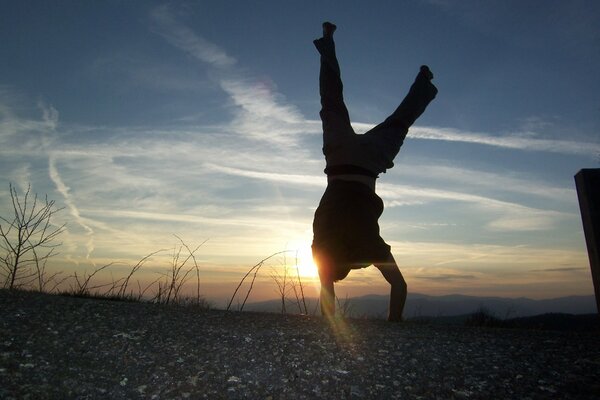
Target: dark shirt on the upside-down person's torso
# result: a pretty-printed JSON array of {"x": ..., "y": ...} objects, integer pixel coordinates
[{"x": 346, "y": 229}]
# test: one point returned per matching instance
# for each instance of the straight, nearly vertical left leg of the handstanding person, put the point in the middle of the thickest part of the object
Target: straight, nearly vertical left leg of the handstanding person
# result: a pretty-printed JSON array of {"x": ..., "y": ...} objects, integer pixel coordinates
[{"x": 334, "y": 114}]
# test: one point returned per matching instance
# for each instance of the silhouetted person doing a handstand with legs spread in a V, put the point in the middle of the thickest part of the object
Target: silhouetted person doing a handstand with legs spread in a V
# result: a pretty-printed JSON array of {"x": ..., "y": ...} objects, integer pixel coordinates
[{"x": 346, "y": 230}]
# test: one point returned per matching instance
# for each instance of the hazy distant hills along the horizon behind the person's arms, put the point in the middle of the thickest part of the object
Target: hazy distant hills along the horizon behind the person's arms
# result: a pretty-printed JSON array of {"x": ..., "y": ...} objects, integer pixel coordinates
[{"x": 420, "y": 305}]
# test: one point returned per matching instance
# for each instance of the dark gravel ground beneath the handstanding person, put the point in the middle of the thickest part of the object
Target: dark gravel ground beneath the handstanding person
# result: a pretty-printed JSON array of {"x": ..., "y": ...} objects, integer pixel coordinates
[{"x": 54, "y": 347}]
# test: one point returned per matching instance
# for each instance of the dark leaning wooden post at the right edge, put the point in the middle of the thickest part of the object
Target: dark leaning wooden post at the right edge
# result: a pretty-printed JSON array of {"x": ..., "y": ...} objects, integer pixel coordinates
[{"x": 588, "y": 191}]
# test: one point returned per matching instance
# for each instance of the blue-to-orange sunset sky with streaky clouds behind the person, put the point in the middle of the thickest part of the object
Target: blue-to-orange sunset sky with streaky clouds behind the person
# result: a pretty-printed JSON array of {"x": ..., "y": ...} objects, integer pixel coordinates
[{"x": 149, "y": 121}]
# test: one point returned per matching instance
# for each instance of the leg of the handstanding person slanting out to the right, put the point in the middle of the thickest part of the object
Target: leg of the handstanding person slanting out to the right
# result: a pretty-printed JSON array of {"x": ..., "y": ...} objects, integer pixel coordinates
[{"x": 390, "y": 134}]
